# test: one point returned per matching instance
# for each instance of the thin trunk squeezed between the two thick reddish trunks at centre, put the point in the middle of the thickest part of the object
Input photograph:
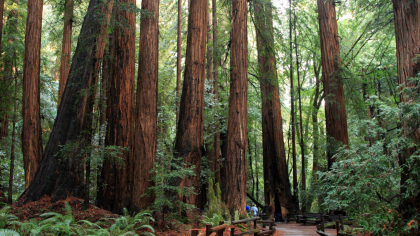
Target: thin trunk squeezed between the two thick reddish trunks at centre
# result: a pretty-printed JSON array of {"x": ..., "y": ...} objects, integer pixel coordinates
[{"x": 216, "y": 62}]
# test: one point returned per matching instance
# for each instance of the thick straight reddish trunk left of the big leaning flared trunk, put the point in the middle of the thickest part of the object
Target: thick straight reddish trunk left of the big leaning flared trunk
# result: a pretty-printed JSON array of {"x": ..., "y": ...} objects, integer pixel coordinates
[{"x": 31, "y": 130}]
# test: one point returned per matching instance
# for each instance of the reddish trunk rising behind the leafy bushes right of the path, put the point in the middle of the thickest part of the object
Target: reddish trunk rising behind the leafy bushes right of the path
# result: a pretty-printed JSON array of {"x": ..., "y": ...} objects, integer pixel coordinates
[{"x": 335, "y": 110}]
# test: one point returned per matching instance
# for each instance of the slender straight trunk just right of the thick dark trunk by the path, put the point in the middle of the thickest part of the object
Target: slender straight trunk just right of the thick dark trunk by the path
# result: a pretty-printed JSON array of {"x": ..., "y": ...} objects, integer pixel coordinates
[{"x": 292, "y": 105}]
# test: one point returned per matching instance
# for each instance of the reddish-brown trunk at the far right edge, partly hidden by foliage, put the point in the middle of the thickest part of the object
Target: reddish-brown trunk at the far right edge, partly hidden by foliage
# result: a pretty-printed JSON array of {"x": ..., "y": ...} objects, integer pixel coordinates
[{"x": 406, "y": 20}]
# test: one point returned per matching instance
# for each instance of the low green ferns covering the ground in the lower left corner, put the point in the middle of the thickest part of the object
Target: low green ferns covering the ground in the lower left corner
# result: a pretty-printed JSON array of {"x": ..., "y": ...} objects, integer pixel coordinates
[{"x": 53, "y": 223}]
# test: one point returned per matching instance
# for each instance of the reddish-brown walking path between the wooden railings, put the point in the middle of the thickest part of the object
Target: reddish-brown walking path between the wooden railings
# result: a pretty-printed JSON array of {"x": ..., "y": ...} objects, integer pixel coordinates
[{"x": 293, "y": 229}]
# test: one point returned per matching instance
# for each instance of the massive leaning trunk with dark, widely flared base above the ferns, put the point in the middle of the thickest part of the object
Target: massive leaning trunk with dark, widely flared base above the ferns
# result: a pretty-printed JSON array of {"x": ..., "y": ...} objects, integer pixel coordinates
[{"x": 62, "y": 175}]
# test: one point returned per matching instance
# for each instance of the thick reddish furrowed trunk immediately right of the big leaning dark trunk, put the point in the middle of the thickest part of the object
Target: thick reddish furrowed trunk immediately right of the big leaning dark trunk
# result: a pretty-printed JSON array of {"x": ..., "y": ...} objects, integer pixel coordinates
[{"x": 115, "y": 193}]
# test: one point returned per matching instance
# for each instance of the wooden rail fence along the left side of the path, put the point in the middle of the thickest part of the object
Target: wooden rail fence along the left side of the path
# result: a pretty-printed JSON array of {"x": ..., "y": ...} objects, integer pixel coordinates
[{"x": 218, "y": 230}]
